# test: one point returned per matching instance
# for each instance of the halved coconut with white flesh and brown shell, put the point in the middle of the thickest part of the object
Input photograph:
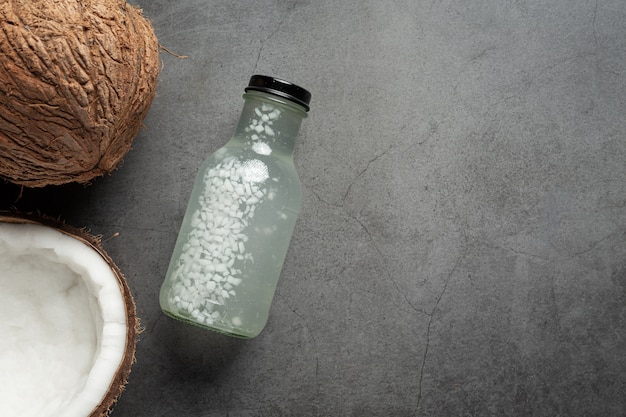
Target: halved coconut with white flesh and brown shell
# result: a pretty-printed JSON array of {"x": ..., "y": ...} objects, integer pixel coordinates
[{"x": 67, "y": 322}]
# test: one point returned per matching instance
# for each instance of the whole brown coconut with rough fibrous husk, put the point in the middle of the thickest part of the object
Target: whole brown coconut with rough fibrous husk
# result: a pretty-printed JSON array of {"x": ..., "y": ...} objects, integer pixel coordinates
[{"x": 77, "y": 78}]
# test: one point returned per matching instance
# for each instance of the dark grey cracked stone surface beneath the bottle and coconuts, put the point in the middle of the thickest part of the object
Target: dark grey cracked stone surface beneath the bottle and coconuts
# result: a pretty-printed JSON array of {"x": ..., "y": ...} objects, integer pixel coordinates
[{"x": 462, "y": 246}]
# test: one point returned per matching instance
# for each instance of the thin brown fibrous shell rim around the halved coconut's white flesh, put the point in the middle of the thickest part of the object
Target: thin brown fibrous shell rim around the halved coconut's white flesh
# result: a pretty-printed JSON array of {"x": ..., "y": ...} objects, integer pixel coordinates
[{"x": 132, "y": 321}]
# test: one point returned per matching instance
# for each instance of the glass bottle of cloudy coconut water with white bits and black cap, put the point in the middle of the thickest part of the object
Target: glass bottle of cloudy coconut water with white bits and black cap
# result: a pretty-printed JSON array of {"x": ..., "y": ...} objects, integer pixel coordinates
[{"x": 242, "y": 211}]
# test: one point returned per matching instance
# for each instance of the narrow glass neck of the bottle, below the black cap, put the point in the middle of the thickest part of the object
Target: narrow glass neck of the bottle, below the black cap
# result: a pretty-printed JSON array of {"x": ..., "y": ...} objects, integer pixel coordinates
[{"x": 268, "y": 124}]
